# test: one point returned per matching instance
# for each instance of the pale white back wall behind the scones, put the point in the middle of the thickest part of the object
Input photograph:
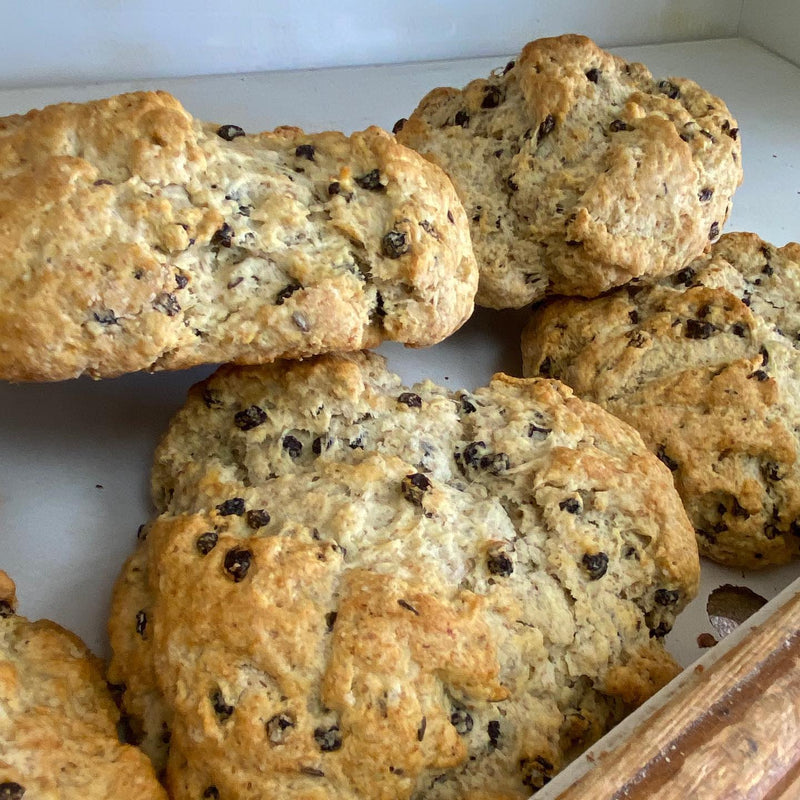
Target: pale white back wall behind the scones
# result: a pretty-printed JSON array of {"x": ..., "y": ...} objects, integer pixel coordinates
[{"x": 44, "y": 42}]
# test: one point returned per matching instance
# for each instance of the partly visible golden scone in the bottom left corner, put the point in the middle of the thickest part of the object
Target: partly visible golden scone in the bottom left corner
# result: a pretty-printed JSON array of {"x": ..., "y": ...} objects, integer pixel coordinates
[{"x": 58, "y": 721}]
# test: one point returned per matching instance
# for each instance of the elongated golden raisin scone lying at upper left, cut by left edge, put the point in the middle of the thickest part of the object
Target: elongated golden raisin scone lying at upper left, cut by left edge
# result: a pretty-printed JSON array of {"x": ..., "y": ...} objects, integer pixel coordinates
[{"x": 133, "y": 236}]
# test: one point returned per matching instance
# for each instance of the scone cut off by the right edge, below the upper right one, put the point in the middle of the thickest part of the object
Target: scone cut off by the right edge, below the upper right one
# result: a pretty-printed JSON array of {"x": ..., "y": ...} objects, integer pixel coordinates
[{"x": 706, "y": 366}]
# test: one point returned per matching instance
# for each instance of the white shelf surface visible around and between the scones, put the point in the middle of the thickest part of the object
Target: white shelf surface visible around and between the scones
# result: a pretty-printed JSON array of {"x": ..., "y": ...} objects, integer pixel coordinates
[{"x": 74, "y": 457}]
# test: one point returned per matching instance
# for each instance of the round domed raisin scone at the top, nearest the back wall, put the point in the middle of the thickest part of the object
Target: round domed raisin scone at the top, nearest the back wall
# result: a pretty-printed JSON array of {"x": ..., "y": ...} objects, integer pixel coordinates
[{"x": 579, "y": 170}]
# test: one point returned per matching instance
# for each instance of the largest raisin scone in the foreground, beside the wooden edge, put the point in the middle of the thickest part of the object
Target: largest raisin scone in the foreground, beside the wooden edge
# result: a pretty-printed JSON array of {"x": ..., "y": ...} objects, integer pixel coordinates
[{"x": 357, "y": 590}]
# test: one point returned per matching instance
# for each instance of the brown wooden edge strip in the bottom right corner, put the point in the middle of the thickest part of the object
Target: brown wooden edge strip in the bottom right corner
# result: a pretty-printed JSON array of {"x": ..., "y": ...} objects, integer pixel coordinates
[{"x": 731, "y": 732}]
